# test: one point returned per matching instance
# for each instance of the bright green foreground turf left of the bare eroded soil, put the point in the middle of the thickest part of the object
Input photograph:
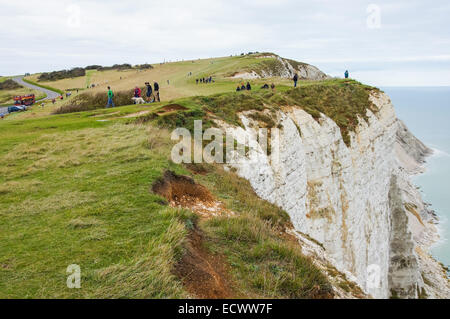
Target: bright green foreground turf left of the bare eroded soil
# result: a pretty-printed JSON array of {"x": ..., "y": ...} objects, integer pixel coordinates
[{"x": 91, "y": 208}]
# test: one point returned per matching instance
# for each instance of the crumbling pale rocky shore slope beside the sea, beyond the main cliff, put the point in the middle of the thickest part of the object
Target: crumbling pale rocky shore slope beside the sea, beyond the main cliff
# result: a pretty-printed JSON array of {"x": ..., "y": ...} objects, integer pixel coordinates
[{"x": 423, "y": 222}]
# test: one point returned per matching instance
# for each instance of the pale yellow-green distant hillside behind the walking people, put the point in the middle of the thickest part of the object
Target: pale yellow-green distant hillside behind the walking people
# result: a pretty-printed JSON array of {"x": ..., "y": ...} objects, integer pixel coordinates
[{"x": 180, "y": 83}]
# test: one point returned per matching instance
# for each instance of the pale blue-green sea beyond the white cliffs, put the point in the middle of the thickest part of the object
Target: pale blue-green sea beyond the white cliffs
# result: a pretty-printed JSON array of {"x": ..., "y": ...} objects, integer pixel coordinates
[{"x": 426, "y": 112}]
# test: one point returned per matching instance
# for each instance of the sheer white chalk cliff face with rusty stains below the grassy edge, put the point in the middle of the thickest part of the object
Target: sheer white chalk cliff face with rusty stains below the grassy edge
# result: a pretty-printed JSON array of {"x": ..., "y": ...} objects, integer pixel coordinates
[{"x": 357, "y": 201}]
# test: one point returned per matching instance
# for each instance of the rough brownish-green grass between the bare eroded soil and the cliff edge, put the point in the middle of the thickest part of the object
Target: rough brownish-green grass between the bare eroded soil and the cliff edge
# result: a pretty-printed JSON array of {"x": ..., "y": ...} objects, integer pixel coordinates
[{"x": 264, "y": 263}]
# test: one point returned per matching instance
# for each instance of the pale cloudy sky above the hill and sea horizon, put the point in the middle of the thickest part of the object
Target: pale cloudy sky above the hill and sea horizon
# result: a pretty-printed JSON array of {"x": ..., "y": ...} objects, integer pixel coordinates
[{"x": 383, "y": 43}]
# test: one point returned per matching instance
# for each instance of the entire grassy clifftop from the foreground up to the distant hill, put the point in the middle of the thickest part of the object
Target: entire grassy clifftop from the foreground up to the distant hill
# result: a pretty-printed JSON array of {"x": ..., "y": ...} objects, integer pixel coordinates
[{"x": 78, "y": 188}]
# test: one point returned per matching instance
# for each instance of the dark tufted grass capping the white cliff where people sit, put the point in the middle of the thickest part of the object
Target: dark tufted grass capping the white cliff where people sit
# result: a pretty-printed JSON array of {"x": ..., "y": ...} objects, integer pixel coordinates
[{"x": 344, "y": 101}]
